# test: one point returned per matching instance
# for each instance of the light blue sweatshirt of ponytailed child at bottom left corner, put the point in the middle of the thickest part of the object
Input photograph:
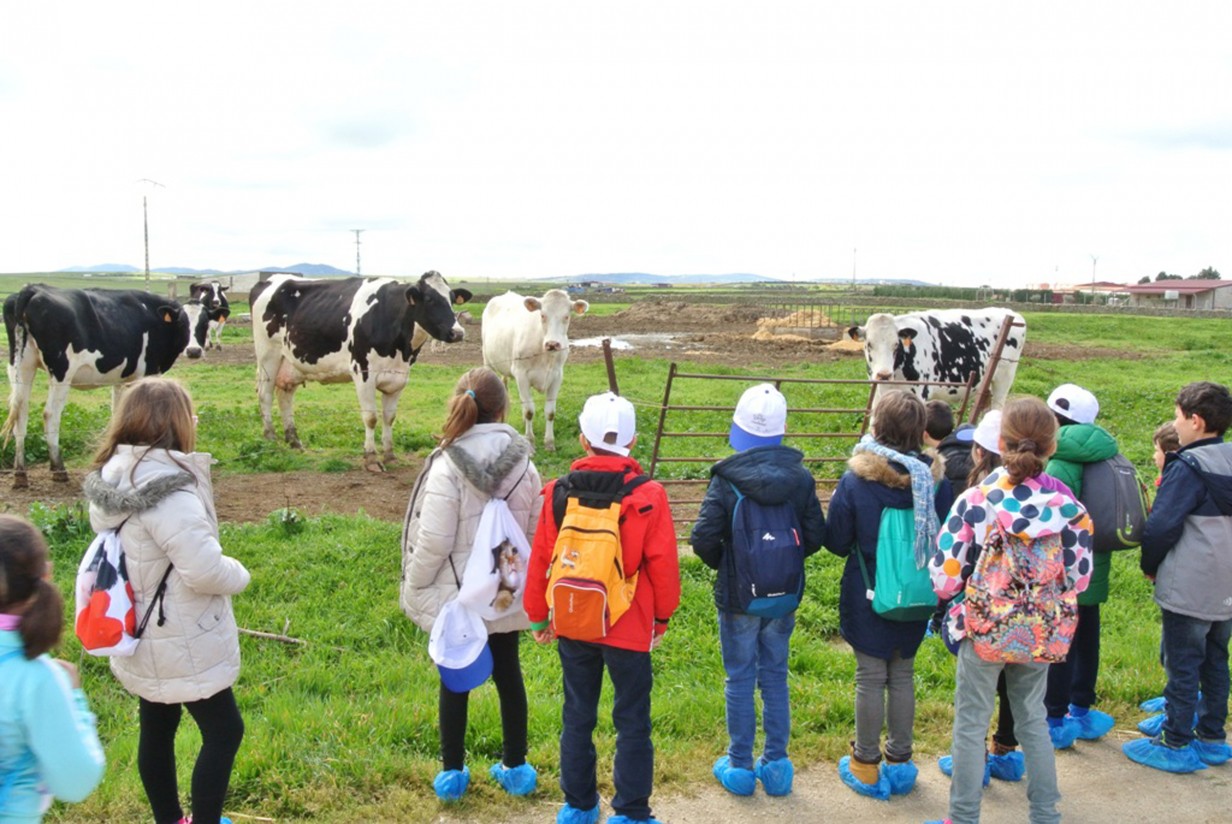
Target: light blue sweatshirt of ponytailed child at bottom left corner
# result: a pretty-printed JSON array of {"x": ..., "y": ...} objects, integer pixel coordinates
[{"x": 49, "y": 743}]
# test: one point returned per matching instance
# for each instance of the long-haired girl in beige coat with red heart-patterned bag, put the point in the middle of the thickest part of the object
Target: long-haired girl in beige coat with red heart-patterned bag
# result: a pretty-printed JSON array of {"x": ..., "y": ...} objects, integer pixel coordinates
[{"x": 151, "y": 485}]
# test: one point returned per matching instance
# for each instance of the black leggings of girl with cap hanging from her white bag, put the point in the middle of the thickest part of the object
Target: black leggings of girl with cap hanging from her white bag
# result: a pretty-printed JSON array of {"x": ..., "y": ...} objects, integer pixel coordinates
[{"x": 507, "y": 674}]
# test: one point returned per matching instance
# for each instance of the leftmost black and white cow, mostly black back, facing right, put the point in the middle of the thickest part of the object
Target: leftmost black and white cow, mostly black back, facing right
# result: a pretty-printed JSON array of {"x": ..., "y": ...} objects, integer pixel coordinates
[{"x": 84, "y": 339}]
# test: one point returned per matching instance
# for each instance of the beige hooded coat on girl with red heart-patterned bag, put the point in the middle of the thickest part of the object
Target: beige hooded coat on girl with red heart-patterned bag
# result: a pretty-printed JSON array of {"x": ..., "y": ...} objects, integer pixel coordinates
[{"x": 168, "y": 501}]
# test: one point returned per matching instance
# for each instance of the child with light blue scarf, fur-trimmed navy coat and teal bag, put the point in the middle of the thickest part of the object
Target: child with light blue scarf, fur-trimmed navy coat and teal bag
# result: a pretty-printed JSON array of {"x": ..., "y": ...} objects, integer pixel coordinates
[{"x": 888, "y": 471}]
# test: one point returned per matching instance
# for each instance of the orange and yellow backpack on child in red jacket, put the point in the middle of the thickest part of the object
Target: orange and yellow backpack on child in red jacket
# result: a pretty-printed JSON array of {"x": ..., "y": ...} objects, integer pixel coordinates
[{"x": 588, "y": 587}]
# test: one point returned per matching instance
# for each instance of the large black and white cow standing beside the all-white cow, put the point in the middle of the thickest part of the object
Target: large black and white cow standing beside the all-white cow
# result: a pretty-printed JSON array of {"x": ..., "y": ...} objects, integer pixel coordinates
[{"x": 364, "y": 329}]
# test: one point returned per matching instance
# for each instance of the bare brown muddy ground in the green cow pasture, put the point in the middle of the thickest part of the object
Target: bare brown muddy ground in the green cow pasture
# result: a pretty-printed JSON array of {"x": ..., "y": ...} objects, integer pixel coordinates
[{"x": 699, "y": 332}]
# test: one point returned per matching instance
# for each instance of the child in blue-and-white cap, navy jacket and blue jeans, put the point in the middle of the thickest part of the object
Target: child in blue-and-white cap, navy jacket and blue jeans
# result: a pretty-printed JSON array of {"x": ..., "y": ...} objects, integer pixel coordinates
[{"x": 756, "y": 647}]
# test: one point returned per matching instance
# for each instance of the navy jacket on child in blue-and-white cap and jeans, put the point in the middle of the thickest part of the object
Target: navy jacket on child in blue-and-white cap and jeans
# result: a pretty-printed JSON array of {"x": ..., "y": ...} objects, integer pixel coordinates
[{"x": 768, "y": 475}]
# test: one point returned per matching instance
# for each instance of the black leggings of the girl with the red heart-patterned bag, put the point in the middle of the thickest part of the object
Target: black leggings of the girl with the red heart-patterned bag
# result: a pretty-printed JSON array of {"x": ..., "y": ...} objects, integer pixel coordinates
[{"x": 222, "y": 730}]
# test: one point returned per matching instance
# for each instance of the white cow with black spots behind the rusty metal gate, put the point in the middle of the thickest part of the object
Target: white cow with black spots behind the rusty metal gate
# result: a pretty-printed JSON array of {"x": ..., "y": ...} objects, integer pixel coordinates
[{"x": 942, "y": 345}]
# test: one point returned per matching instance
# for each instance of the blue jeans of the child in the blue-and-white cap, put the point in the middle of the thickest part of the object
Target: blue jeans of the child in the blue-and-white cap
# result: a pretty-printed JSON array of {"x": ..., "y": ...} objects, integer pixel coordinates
[{"x": 756, "y": 653}]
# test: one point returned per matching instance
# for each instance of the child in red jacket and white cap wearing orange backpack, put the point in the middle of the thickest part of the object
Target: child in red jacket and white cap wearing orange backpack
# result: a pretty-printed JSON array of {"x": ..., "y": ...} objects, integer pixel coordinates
[{"x": 649, "y": 546}]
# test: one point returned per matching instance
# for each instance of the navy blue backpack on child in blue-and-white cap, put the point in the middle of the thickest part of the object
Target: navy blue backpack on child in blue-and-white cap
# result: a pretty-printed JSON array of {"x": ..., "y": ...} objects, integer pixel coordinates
[{"x": 769, "y": 557}]
